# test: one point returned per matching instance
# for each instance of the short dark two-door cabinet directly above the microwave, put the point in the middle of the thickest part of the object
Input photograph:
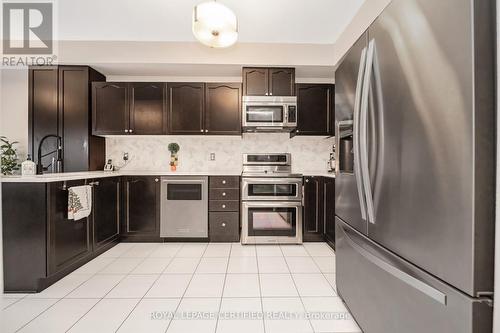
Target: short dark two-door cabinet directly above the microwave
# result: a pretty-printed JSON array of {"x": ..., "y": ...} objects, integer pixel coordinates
[{"x": 262, "y": 81}]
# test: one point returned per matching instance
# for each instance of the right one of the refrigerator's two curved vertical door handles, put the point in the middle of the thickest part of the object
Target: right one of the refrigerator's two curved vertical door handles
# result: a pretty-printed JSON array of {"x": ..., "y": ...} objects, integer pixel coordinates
[{"x": 365, "y": 172}]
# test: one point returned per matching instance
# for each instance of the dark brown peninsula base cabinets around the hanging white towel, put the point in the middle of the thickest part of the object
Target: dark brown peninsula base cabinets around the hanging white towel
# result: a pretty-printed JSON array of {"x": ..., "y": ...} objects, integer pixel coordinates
[{"x": 40, "y": 244}]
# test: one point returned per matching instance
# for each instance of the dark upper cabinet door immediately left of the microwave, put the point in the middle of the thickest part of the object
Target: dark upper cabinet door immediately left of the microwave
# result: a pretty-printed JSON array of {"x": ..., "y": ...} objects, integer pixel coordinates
[{"x": 223, "y": 108}]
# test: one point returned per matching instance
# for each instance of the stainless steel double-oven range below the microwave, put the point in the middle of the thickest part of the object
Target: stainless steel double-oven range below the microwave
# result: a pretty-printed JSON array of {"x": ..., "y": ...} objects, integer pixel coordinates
[{"x": 271, "y": 208}]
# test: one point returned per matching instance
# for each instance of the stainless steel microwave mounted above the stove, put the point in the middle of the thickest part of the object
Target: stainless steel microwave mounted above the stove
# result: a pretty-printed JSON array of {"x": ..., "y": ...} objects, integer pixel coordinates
[{"x": 269, "y": 113}]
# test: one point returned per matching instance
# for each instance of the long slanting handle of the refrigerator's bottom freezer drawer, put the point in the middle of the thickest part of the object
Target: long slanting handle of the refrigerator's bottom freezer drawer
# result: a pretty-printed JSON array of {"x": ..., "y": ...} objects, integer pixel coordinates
[{"x": 416, "y": 283}]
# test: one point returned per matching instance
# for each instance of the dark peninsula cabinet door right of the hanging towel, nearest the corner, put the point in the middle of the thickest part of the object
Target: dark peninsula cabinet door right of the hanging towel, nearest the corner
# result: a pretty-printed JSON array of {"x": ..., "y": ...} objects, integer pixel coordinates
[{"x": 105, "y": 210}]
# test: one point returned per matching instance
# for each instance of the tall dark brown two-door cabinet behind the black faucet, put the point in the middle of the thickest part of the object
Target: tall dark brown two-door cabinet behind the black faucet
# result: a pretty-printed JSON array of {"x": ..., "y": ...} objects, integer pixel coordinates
[{"x": 59, "y": 104}]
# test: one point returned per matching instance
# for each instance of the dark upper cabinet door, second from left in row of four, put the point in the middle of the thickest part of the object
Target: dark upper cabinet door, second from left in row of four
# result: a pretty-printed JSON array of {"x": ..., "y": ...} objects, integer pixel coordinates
[{"x": 147, "y": 109}]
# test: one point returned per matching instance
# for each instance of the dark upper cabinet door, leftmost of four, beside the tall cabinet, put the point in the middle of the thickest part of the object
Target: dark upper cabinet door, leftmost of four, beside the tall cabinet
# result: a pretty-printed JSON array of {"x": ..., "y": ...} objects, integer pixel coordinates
[{"x": 110, "y": 108}]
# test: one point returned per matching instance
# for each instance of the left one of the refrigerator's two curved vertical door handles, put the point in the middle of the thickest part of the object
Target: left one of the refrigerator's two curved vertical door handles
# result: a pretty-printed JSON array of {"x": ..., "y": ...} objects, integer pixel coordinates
[{"x": 356, "y": 134}]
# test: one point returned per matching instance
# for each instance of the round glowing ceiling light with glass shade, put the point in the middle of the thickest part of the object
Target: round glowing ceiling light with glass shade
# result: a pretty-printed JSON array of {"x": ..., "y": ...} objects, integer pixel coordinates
[{"x": 214, "y": 24}]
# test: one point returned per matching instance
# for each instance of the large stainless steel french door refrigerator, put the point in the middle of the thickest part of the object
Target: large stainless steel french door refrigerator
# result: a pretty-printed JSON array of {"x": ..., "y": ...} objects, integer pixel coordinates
[{"x": 414, "y": 196}]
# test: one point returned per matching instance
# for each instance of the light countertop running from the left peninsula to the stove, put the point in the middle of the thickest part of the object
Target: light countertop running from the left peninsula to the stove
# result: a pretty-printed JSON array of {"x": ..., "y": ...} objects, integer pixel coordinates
[{"x": 57, "y": 177}]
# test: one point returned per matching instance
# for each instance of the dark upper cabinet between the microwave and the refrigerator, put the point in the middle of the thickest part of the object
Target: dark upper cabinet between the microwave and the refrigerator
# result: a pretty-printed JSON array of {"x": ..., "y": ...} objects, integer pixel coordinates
[{"x": 316, "y": 109}]
